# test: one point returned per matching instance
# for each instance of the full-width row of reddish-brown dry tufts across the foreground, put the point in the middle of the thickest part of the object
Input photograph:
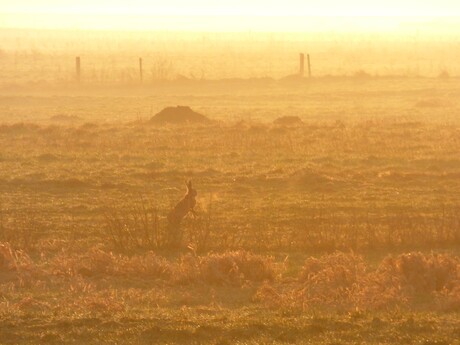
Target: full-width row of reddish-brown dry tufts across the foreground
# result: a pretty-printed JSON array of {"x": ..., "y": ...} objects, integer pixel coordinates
[{"x": 339, "y": 281}]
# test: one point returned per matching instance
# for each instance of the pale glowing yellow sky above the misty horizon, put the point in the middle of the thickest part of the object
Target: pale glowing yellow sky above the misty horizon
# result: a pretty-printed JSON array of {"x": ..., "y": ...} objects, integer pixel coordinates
[{"x": 235, "y": 15}]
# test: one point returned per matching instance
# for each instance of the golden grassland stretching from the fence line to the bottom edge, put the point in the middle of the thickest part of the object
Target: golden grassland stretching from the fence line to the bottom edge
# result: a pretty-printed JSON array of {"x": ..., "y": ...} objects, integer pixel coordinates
[{"x": 342, "y": 229}]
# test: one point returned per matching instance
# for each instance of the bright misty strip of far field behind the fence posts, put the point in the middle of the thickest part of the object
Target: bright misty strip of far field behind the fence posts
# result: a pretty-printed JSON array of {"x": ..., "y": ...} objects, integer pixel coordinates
[{"x": 48, "y": 56}]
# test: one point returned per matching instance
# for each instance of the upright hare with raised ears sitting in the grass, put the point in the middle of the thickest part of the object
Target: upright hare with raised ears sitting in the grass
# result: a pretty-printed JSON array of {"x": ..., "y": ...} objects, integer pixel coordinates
[{"x": 182, "y": 208}]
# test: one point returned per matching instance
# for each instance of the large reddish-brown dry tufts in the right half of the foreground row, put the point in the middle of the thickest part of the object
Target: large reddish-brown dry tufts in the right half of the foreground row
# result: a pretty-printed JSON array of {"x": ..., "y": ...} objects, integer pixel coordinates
[{"x": 342, "y": 282}]
